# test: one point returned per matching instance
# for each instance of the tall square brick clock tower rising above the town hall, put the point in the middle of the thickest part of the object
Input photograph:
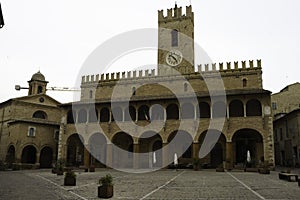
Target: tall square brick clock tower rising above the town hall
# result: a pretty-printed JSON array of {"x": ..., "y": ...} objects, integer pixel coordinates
[{"x": 176, "y": 41}]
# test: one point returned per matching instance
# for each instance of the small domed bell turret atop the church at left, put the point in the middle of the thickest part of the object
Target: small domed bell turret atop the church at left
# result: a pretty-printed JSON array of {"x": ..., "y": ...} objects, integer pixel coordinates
[{"x": 37, "y": 84}]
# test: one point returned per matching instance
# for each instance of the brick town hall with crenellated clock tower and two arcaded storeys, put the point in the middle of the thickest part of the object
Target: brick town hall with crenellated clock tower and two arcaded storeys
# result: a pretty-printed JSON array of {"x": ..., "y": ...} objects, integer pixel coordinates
[{"x": 171, "y": 109}]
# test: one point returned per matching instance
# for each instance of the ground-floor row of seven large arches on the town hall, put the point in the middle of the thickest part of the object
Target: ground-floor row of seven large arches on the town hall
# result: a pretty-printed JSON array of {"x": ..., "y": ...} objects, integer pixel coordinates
[{"x": 100, "y": 152}]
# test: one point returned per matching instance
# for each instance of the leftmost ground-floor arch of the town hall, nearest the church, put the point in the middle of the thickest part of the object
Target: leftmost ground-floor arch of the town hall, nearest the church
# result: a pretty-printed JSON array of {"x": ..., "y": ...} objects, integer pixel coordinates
[{"x": 75, "y": 150}]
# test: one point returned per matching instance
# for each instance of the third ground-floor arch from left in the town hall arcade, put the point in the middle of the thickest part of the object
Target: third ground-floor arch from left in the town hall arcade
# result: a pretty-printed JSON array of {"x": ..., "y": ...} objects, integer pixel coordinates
[{"x": 122, "y": 150}]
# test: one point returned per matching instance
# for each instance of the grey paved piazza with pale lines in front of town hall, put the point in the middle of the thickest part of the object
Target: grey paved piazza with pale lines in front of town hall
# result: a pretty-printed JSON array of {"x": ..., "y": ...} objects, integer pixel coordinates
[{"x": 163, "y": 184}]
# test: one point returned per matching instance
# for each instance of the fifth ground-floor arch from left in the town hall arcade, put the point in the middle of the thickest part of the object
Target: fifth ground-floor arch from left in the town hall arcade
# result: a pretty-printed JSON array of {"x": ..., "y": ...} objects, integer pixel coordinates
[{"x": 180, "y": 142}]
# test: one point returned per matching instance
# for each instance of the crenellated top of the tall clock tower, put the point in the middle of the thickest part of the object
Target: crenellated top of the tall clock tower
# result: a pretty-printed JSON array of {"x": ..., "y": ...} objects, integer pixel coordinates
[{"x": 175, "y": 13}]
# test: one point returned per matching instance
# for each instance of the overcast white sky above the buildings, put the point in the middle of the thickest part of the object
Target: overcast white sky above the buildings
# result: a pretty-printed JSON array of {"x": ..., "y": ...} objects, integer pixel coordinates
[{"x": 57, "y": 36}]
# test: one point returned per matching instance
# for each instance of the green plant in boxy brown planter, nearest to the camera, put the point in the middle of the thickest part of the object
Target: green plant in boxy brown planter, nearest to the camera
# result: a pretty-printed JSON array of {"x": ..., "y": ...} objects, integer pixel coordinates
[{"x": 105, "y": 190}]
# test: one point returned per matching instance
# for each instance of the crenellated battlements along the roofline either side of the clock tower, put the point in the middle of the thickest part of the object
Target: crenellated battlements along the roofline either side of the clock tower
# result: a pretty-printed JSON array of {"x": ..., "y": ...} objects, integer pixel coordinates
[{"x": 228, "y": 67}]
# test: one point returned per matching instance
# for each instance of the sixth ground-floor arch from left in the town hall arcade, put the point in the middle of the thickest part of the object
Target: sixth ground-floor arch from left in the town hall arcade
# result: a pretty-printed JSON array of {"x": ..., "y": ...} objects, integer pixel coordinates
[{"x": 216, "y": 151}]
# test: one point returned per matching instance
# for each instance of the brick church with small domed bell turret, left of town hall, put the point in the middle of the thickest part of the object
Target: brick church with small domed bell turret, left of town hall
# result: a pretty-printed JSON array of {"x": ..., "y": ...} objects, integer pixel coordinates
[{"x": 29, "y": 125}]
